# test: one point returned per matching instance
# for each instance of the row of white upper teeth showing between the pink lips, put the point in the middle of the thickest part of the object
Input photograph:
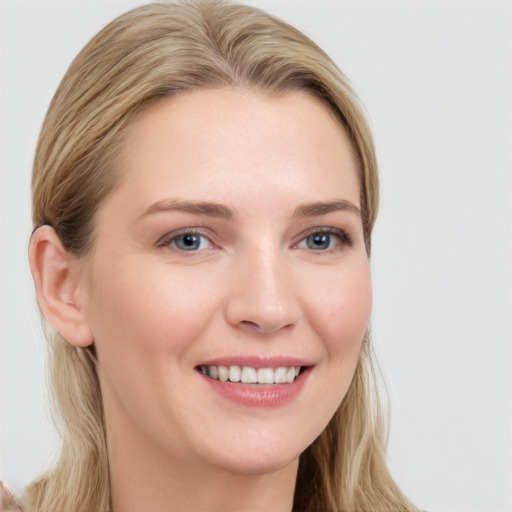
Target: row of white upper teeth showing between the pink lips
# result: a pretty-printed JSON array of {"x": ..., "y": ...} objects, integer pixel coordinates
[{"x": 251, "y": 375}]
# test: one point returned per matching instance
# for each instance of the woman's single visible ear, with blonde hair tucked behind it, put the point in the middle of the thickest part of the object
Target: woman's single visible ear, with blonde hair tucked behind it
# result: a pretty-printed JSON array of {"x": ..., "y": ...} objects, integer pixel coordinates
[{"x": 56, "y": 274}]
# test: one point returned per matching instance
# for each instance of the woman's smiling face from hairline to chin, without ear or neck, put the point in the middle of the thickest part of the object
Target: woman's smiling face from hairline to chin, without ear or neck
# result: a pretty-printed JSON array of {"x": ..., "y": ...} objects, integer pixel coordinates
[{"x": 232, "y": 248}]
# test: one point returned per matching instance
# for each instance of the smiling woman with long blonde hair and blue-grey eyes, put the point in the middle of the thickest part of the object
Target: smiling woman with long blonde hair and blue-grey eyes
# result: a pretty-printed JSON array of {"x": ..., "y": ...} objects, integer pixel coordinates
[{"x": 204, "y": 192}]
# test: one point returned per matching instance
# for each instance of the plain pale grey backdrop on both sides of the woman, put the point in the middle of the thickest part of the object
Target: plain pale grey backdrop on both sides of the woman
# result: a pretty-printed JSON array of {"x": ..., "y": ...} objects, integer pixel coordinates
[{"x": 435, "y": 79}]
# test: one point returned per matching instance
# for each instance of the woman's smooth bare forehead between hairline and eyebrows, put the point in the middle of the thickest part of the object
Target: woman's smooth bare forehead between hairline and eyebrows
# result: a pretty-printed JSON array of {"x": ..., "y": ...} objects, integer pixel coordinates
[{"x": 238, "y": 138}]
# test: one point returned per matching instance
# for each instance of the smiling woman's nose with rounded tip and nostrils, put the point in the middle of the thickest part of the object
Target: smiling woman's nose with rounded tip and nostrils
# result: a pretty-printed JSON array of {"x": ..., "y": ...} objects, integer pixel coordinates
[{"x": 263, "y": 298}]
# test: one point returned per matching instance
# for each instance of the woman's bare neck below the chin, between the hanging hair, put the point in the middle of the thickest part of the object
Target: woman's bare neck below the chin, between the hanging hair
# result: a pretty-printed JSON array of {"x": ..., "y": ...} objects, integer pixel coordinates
[{"x": 145, "y": 478}]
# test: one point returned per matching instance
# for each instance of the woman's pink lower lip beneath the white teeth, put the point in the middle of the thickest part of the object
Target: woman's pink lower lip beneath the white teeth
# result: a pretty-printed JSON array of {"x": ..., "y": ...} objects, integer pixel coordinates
[{"x": 258, "y": 395}]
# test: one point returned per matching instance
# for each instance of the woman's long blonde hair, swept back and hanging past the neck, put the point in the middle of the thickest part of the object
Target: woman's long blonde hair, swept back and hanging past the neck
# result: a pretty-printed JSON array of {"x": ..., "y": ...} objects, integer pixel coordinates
[{"x": 145, "y": 55}]
